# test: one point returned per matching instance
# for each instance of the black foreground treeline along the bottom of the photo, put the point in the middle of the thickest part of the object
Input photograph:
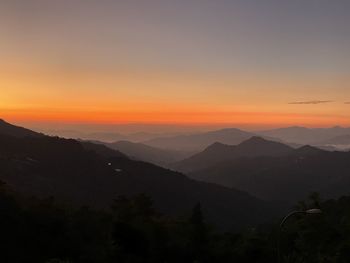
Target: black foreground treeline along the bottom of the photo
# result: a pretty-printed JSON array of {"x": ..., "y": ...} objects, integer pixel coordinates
[{"x": 33, "y": 230}]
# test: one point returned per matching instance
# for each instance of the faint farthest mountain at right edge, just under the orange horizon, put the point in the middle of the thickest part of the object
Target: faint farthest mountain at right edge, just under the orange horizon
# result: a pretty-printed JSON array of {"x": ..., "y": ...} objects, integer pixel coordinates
[{"x": 302, "y": 135}]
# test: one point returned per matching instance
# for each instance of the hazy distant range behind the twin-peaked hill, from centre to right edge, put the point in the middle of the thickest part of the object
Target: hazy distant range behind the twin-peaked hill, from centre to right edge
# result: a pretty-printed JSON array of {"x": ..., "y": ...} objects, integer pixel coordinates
[{"x": 292, "y": 136}]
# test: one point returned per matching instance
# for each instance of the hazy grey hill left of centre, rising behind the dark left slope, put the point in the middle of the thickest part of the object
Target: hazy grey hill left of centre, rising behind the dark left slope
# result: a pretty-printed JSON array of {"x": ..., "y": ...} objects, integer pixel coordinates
[{"x": 143, "y": 152}]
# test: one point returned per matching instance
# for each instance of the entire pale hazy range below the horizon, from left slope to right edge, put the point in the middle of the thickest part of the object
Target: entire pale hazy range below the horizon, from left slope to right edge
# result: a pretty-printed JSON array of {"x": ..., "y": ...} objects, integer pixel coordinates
[{"x": 198, "y": 141}]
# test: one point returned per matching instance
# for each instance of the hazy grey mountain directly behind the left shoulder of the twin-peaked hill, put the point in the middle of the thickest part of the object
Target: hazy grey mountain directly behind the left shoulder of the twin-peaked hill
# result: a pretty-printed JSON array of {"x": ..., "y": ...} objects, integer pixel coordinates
[{"x": 198, "y": 142}]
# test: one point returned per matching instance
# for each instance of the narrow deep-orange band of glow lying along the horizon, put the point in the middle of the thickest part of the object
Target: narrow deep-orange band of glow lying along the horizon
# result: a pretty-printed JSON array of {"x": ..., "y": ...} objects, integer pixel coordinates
[{"x": 174, "y": 117}]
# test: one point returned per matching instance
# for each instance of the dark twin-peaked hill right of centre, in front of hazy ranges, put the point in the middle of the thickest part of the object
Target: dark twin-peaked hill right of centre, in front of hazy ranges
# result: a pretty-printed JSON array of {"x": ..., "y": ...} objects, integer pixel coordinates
[{"x": 219, "y": 152}]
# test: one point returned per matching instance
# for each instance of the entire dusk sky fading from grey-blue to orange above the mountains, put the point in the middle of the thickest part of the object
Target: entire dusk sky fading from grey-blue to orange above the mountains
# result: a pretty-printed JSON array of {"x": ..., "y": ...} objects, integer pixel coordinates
[{"x": 243, "y": 63}]
